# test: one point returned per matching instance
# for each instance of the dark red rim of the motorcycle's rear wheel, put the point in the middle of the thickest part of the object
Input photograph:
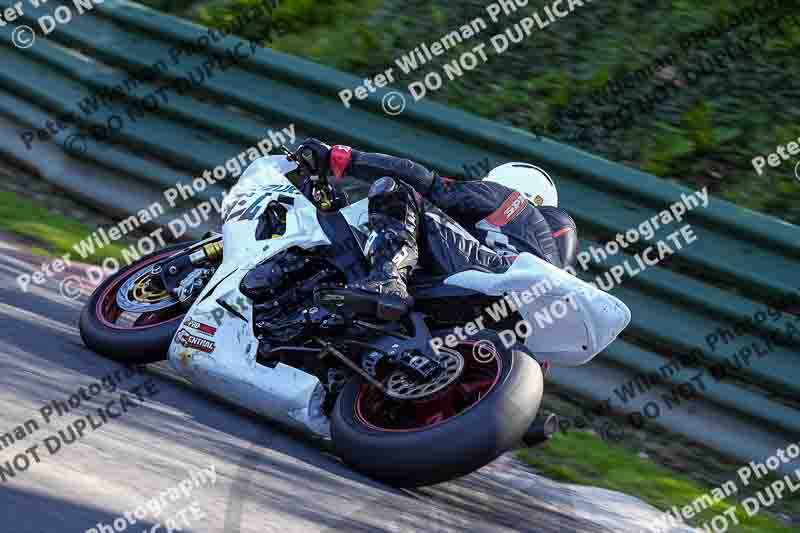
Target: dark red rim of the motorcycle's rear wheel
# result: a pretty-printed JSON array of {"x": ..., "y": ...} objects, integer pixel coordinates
[{"x": 375, "y": 410}]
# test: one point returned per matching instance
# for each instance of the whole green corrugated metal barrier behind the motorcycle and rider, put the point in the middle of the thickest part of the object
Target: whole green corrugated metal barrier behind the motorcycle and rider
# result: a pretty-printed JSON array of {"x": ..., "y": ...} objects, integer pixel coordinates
[{"x": 742, "y": 263}]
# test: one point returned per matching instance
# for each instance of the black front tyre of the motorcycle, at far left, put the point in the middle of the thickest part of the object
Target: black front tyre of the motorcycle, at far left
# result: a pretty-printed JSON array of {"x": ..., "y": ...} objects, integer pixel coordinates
[{"x": 111, "y": 332}]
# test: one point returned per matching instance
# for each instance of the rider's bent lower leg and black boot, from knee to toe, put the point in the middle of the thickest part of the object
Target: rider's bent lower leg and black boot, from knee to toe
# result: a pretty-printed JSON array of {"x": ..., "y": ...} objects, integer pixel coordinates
[{"x": 392, "y": 253}]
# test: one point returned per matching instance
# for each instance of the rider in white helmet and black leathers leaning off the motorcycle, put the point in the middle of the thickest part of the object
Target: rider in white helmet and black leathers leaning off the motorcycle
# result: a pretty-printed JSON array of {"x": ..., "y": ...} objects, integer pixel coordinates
[{"x": 459, "y": 224}]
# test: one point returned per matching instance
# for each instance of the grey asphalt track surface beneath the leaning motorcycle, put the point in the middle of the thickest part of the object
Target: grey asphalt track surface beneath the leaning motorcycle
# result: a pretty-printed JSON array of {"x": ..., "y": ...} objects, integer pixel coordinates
[{"x": 267, "y": 479}]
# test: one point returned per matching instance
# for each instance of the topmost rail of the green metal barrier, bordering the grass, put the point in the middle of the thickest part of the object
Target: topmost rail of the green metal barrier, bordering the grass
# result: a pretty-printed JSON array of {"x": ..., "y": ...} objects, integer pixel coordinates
[{"x": 478, "y": 131}]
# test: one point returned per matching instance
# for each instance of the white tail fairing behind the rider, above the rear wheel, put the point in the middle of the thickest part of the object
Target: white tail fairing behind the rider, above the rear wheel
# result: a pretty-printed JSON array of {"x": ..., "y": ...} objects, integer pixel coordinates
[{"x": 567, "y": 321}]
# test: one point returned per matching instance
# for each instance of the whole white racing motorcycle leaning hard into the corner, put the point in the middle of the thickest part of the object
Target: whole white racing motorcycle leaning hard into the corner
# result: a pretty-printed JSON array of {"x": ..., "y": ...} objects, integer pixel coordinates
[{"x": 417, "y": 401}]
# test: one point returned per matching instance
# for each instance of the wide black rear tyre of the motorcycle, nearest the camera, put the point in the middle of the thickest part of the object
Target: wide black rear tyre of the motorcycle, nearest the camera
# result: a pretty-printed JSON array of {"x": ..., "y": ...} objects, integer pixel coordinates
[{"x": 438, "y": 447}]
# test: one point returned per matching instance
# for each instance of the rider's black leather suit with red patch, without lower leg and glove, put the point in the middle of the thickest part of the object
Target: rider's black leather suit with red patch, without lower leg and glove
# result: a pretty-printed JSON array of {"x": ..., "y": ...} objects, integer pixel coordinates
[{"x": 452, "y": 219}]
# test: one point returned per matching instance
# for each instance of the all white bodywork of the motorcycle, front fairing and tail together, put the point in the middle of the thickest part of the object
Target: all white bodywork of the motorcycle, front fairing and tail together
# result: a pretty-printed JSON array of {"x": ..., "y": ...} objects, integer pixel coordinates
[{"x": 216, "y": 349}]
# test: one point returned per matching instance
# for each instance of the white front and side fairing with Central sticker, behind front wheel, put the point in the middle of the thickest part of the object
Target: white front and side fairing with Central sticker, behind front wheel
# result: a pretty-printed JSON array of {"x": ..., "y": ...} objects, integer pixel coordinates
[{"x": 283, "y": 393}]
